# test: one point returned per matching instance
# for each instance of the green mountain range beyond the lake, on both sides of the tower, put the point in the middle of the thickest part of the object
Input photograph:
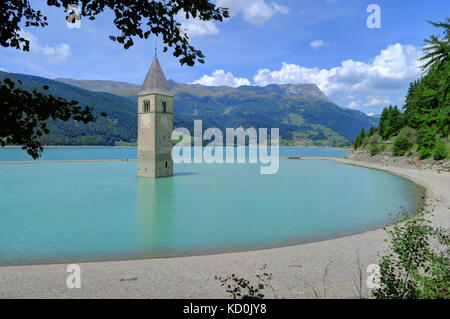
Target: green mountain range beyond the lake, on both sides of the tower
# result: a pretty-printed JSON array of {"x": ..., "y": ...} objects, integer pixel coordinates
[{"x": 303, "y": 113}]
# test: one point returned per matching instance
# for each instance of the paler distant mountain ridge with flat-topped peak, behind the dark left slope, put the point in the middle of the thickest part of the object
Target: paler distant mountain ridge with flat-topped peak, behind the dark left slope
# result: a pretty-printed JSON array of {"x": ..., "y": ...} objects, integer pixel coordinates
[{"x": 302, "y": 112}]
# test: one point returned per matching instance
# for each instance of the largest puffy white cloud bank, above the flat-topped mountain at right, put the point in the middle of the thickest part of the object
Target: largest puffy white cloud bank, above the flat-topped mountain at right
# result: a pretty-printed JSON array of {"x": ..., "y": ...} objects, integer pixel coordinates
[{"x": 388, "y": 74}]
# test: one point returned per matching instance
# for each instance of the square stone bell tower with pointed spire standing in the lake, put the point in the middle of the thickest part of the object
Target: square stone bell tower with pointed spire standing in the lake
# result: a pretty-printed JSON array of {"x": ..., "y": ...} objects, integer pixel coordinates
[{"x": 155, "y": 125}]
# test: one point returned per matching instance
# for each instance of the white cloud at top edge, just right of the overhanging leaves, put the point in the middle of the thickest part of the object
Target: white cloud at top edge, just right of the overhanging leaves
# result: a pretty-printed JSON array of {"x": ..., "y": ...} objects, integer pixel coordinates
[{"x": 253, "y": 11}]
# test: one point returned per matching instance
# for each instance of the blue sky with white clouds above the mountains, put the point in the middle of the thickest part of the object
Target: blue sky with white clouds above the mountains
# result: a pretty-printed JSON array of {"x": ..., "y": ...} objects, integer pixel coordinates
[{"x": 326, "y": 42}]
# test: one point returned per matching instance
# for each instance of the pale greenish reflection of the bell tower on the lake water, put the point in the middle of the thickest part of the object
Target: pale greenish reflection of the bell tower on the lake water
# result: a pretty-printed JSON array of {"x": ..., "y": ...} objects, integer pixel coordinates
[{"x": 155, "y": 217}]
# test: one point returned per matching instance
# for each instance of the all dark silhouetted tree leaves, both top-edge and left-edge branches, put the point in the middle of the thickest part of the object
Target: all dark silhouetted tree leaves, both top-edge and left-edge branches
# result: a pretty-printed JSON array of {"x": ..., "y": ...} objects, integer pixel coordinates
[{"x": 23, "y": 115}]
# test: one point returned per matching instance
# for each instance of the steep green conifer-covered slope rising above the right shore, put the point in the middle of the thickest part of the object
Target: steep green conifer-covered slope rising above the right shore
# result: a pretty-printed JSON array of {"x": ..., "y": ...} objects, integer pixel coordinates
[{"x": 423, "y": 126}]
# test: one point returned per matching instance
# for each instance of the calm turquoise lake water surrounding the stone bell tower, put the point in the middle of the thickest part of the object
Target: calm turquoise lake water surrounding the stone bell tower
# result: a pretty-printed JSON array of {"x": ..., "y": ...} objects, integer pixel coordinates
[{"x": 73, "y": 212}]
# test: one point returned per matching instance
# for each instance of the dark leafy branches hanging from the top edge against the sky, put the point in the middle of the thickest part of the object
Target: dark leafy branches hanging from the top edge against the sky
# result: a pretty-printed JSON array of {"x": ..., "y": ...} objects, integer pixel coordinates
[{"x": 133, "y": 18}]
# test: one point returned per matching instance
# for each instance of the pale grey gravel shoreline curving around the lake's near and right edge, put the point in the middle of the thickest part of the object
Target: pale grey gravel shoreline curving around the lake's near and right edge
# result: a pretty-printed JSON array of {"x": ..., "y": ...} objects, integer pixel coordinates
[{"x": 296, "y": 269}]
